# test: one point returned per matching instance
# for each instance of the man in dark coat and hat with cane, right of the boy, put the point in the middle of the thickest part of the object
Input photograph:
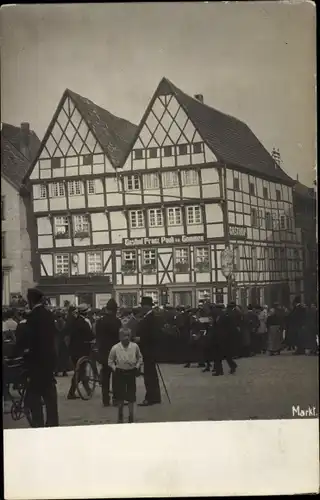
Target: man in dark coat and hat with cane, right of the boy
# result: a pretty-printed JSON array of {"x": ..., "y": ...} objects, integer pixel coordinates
[{"x": 146, "y": 336}]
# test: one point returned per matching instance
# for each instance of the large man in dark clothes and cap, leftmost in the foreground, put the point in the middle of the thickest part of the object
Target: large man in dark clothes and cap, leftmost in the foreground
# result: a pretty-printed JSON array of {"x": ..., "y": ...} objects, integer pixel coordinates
[{"x": 38, "y": 338}]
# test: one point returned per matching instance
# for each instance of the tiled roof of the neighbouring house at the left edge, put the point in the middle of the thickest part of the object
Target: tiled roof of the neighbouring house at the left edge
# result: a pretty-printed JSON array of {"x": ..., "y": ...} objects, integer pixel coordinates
[{"x": 14, "y": 164}]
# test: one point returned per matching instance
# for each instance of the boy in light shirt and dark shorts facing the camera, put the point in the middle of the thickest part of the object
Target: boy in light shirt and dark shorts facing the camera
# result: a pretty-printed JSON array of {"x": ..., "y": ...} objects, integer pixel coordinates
[{"x": 125, "y": 360}]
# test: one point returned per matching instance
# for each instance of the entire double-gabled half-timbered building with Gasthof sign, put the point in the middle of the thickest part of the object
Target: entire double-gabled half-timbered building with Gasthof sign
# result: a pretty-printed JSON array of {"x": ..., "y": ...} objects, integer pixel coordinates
[{"x": 151, "y": 210}]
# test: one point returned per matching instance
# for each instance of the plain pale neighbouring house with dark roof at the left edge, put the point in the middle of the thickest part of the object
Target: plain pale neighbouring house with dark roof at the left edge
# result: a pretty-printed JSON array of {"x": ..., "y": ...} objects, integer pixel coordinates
[{"x": 19, "y": 146}]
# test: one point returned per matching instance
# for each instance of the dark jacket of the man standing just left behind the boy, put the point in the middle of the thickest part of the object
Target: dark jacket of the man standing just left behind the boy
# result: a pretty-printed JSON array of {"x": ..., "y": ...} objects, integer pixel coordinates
[{"x": 107, "y": 334}]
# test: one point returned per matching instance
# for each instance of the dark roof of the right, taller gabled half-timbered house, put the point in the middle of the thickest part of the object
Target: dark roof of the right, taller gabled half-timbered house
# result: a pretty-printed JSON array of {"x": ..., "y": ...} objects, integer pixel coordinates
[{"x": 230, "y": 139}]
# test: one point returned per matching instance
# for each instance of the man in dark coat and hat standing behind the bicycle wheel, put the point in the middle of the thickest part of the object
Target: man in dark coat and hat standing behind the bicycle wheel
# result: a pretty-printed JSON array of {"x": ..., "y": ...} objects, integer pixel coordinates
[{"x": 81, "y": 336}]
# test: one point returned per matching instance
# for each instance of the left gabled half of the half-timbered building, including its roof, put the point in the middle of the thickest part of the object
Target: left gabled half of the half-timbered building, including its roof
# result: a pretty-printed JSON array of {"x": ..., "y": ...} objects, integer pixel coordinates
[{"x": 75, "y": 192}]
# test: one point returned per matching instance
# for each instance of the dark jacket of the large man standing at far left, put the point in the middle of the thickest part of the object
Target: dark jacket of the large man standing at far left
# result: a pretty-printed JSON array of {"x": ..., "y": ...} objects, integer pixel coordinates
[{"x": 38, "y": 337}]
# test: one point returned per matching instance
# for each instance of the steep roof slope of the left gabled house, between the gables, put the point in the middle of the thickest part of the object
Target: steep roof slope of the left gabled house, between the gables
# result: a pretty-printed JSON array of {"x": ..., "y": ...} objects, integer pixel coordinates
[{"x": 113, "y": 133}]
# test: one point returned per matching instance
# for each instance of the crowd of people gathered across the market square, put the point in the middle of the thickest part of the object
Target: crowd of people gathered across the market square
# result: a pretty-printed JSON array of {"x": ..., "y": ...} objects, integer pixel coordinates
[{"x": 125, "y": 338}]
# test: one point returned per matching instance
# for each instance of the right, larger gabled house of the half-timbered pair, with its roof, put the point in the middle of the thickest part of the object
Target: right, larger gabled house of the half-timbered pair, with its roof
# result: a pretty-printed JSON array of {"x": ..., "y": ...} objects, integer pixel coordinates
[{"x": 195, "y": 182}]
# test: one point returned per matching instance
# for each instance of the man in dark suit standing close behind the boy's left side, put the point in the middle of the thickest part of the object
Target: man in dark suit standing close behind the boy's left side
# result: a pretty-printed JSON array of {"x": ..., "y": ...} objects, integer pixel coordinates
[{"x": 107, "y": 334}]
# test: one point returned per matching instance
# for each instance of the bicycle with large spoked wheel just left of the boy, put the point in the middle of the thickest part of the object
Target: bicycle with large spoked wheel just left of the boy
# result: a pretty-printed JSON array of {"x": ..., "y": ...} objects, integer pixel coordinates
[{"x": 87, "y": 375}]
